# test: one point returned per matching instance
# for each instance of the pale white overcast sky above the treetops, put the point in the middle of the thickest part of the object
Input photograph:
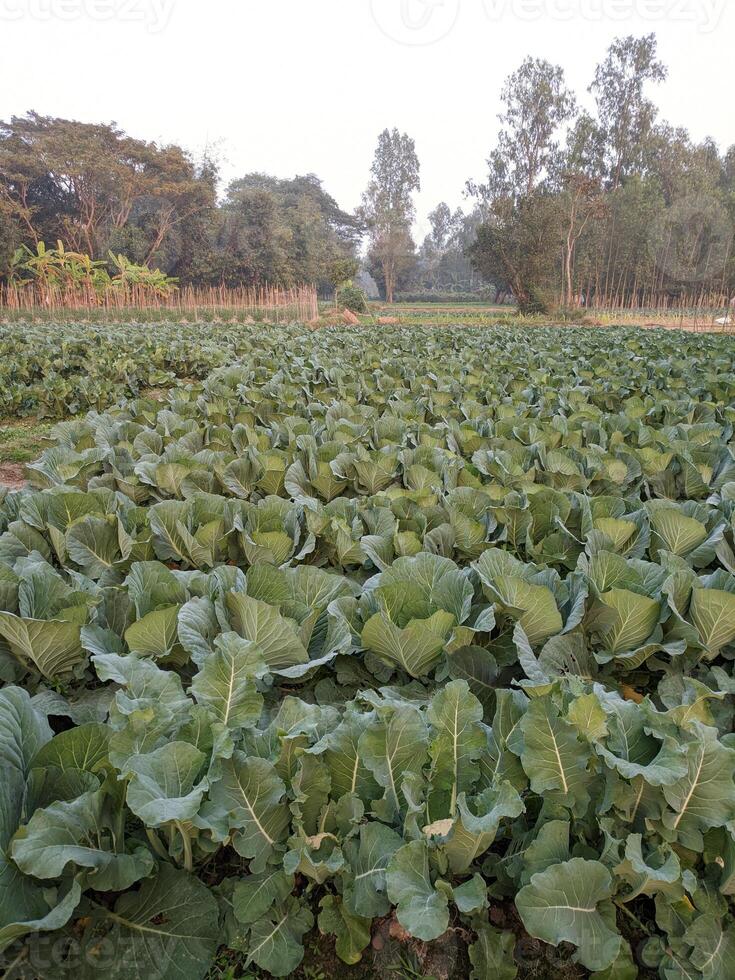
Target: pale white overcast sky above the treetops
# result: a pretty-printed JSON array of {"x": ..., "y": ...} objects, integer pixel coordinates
[{"x": 298, "y": 86}]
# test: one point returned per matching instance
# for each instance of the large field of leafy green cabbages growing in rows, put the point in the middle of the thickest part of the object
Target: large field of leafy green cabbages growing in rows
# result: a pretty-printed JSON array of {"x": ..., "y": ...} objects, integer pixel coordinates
[{"x": 378, "y": 642}]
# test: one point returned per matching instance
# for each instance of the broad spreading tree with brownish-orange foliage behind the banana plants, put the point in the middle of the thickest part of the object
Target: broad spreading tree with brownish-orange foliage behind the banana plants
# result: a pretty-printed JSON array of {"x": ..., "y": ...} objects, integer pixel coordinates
[{"x": 85, "y": 183}]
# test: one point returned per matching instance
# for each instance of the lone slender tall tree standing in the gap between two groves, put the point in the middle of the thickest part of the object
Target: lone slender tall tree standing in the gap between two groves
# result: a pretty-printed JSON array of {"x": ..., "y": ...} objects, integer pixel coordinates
[{"x": 387, "y": 205}]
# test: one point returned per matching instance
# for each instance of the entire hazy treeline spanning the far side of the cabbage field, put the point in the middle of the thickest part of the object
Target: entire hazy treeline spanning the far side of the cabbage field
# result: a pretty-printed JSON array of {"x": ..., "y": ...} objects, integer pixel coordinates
[{"x": 611, "y": 206}]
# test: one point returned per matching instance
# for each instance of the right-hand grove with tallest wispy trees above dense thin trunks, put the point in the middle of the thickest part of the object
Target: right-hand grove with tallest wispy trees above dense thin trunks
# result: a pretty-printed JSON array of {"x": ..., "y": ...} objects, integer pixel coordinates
[{"x": 610, "y": 207}]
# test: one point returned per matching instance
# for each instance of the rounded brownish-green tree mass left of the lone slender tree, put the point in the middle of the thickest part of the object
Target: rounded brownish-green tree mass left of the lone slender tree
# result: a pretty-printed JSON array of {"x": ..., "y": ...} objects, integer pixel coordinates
[{"x": 99, "y": 191}]
